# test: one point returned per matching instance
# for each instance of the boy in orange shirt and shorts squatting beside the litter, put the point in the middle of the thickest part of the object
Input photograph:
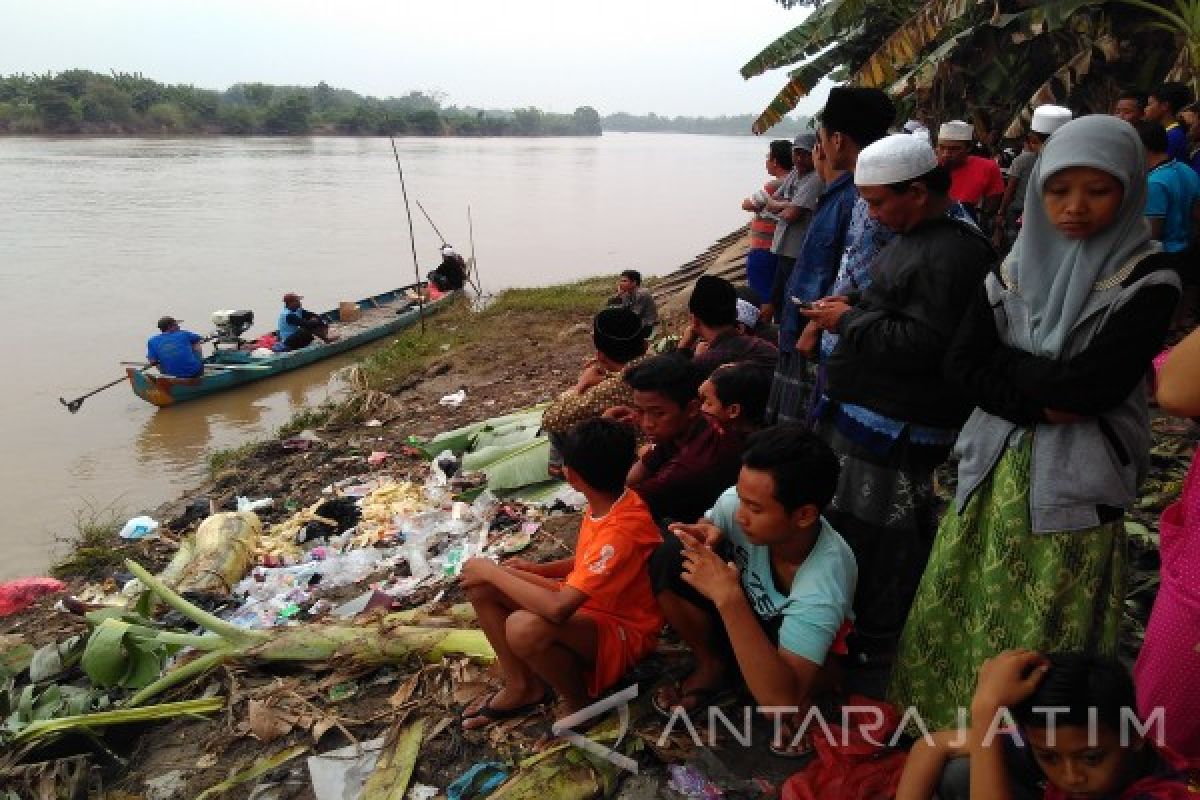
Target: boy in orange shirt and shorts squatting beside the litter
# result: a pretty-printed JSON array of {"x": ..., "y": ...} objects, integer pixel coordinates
[{"x": 577, "y": 625}]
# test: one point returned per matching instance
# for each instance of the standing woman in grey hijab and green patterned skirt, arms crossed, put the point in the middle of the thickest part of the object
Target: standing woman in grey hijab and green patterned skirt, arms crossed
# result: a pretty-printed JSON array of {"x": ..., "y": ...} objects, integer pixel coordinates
[{"x": 1054, "y": 353}]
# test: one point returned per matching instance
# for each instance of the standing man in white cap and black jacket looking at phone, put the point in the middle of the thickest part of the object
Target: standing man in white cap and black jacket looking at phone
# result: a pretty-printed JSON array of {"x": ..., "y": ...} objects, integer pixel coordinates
[{"x": 887, "y": 410}]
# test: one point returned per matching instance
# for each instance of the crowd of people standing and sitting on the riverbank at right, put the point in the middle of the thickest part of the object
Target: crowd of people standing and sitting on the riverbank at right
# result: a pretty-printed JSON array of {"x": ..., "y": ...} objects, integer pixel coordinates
[{"x": 770, "y": 494}]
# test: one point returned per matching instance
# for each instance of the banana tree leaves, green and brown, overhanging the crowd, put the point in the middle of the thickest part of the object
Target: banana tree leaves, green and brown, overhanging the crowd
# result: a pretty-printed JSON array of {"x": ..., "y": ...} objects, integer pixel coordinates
[{"x": 988, "y": 58}]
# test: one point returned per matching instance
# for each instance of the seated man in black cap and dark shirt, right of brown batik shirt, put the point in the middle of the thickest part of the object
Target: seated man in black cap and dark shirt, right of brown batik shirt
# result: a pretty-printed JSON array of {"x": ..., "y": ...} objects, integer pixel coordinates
[{"x": 713, "y": 311}]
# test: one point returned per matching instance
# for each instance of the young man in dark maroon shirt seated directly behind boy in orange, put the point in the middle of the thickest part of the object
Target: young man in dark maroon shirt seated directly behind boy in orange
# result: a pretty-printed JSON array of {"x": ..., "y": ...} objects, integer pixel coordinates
[{"x": 689, "y": 462}]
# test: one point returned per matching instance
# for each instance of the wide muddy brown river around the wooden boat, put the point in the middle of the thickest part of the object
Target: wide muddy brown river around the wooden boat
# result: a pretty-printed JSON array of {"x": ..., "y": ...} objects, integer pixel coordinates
[{"x": 100, "y": 237}]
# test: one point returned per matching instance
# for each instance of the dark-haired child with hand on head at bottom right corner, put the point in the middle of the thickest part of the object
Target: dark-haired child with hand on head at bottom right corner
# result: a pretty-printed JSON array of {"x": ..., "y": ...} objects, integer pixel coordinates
[{"x": 1077, "y": 737}]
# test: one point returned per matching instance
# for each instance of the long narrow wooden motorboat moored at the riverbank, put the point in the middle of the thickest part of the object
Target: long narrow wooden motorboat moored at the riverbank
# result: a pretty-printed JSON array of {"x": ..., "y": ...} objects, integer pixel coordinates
[{"x": 380, "y": 316}]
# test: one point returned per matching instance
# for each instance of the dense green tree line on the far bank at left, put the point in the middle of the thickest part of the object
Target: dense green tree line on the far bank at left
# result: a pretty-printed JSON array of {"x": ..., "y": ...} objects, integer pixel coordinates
[{"x": 80, "y": 101}]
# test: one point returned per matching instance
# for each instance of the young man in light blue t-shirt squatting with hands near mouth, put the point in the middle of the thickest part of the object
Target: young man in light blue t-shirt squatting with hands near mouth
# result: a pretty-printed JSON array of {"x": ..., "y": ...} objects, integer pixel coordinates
[{"x": 764, "y": 579}]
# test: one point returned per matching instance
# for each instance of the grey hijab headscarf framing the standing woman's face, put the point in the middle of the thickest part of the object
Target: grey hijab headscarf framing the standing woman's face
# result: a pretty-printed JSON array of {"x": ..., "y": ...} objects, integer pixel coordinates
[{"x": 1055, "y": 275}]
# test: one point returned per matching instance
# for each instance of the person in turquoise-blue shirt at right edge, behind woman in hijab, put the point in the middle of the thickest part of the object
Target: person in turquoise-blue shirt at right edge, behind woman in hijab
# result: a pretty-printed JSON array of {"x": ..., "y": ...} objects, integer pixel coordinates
[{"x": 1172, "y": 191}]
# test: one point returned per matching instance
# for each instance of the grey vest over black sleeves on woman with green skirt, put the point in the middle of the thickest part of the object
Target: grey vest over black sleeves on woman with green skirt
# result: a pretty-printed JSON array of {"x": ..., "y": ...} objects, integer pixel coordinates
[{"x": 1077, "y": 467}]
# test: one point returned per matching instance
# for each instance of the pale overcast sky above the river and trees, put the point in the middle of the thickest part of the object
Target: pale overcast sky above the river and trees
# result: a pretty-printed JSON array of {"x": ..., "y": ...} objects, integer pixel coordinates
[{"x": 669, "y": 57}]
